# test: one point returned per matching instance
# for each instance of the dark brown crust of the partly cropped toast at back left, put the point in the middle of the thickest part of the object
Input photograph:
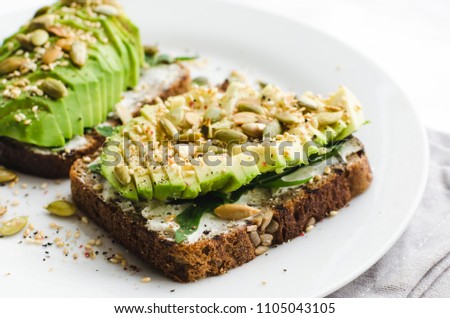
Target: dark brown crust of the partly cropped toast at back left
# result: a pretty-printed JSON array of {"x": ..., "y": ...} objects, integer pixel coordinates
[{"x": 19, "y": 156}]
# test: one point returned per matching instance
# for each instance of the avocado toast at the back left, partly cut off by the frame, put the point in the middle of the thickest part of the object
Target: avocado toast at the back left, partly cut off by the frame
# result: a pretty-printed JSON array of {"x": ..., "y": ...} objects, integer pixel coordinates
[{"x": 62, "y": 74}]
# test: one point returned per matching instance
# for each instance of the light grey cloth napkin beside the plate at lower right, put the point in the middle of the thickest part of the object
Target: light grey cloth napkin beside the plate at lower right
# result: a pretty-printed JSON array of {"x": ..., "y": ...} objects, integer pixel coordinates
[{"x": 418, "y": 265}]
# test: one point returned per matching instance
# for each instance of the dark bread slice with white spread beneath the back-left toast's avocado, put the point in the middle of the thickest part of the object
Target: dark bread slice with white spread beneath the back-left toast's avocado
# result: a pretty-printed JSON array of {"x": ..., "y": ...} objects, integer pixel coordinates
[{"x": 54, "y": 164}]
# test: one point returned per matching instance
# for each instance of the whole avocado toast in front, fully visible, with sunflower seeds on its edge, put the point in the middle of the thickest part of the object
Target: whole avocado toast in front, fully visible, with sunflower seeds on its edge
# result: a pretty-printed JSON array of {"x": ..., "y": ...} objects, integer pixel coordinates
[{"x": 208, "y": 180}]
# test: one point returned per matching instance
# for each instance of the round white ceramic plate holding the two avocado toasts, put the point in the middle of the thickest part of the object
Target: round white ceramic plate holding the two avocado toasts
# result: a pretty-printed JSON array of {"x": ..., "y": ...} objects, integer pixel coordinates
[{"x": 297, "y": 58}]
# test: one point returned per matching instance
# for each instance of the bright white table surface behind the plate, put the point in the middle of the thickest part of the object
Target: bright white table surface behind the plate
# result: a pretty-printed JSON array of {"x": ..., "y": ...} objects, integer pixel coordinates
[{"x": 409, "y": 39}]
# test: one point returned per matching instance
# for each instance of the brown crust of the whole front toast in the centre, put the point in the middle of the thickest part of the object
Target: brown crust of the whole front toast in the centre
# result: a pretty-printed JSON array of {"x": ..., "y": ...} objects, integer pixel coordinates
[{"x": 216, "y": 255}]
